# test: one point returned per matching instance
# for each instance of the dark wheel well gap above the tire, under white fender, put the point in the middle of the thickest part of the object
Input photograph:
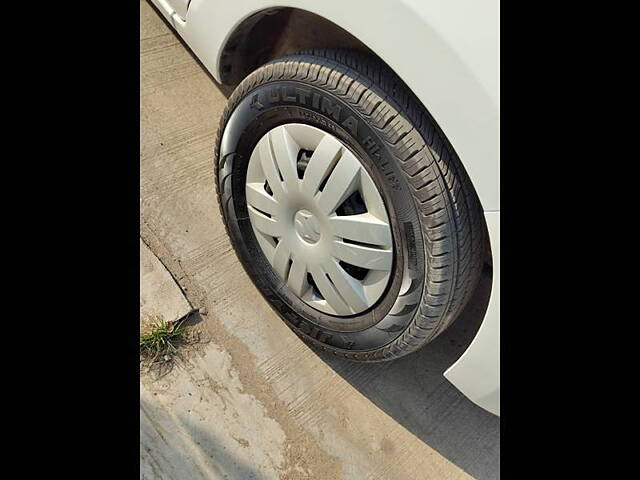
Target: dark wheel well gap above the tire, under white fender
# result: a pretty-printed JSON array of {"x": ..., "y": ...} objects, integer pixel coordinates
[{"x": 277, "y": 32}]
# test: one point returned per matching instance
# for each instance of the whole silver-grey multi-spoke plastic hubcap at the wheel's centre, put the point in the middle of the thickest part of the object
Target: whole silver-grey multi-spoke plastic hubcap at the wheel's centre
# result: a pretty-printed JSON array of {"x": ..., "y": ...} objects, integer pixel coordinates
[{"x": 332, "y": 249}]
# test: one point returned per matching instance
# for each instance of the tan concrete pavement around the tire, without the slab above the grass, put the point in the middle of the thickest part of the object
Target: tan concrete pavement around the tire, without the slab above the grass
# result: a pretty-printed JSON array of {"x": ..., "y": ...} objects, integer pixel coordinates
[{"x": 256, "y": 402}]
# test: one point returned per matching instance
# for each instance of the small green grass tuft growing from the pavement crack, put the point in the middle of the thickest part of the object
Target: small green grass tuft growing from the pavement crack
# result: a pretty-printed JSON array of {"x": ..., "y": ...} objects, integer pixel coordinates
[{"x": 162, "y": 339}]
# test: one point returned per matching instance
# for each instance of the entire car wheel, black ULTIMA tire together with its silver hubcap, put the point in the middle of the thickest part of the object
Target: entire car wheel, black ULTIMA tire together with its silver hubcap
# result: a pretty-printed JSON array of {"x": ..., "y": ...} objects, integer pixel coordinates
[{"x": 346, "y": 205}]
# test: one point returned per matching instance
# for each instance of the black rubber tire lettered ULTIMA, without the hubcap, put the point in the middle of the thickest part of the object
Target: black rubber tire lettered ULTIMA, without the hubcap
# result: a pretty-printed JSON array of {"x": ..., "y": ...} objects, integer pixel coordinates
[{"x": 437, "y": 222}]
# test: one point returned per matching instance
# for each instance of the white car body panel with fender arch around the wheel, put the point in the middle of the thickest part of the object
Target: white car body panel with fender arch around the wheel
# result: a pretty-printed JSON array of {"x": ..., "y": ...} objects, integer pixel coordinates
[{"x": 448, "y": 53}]
